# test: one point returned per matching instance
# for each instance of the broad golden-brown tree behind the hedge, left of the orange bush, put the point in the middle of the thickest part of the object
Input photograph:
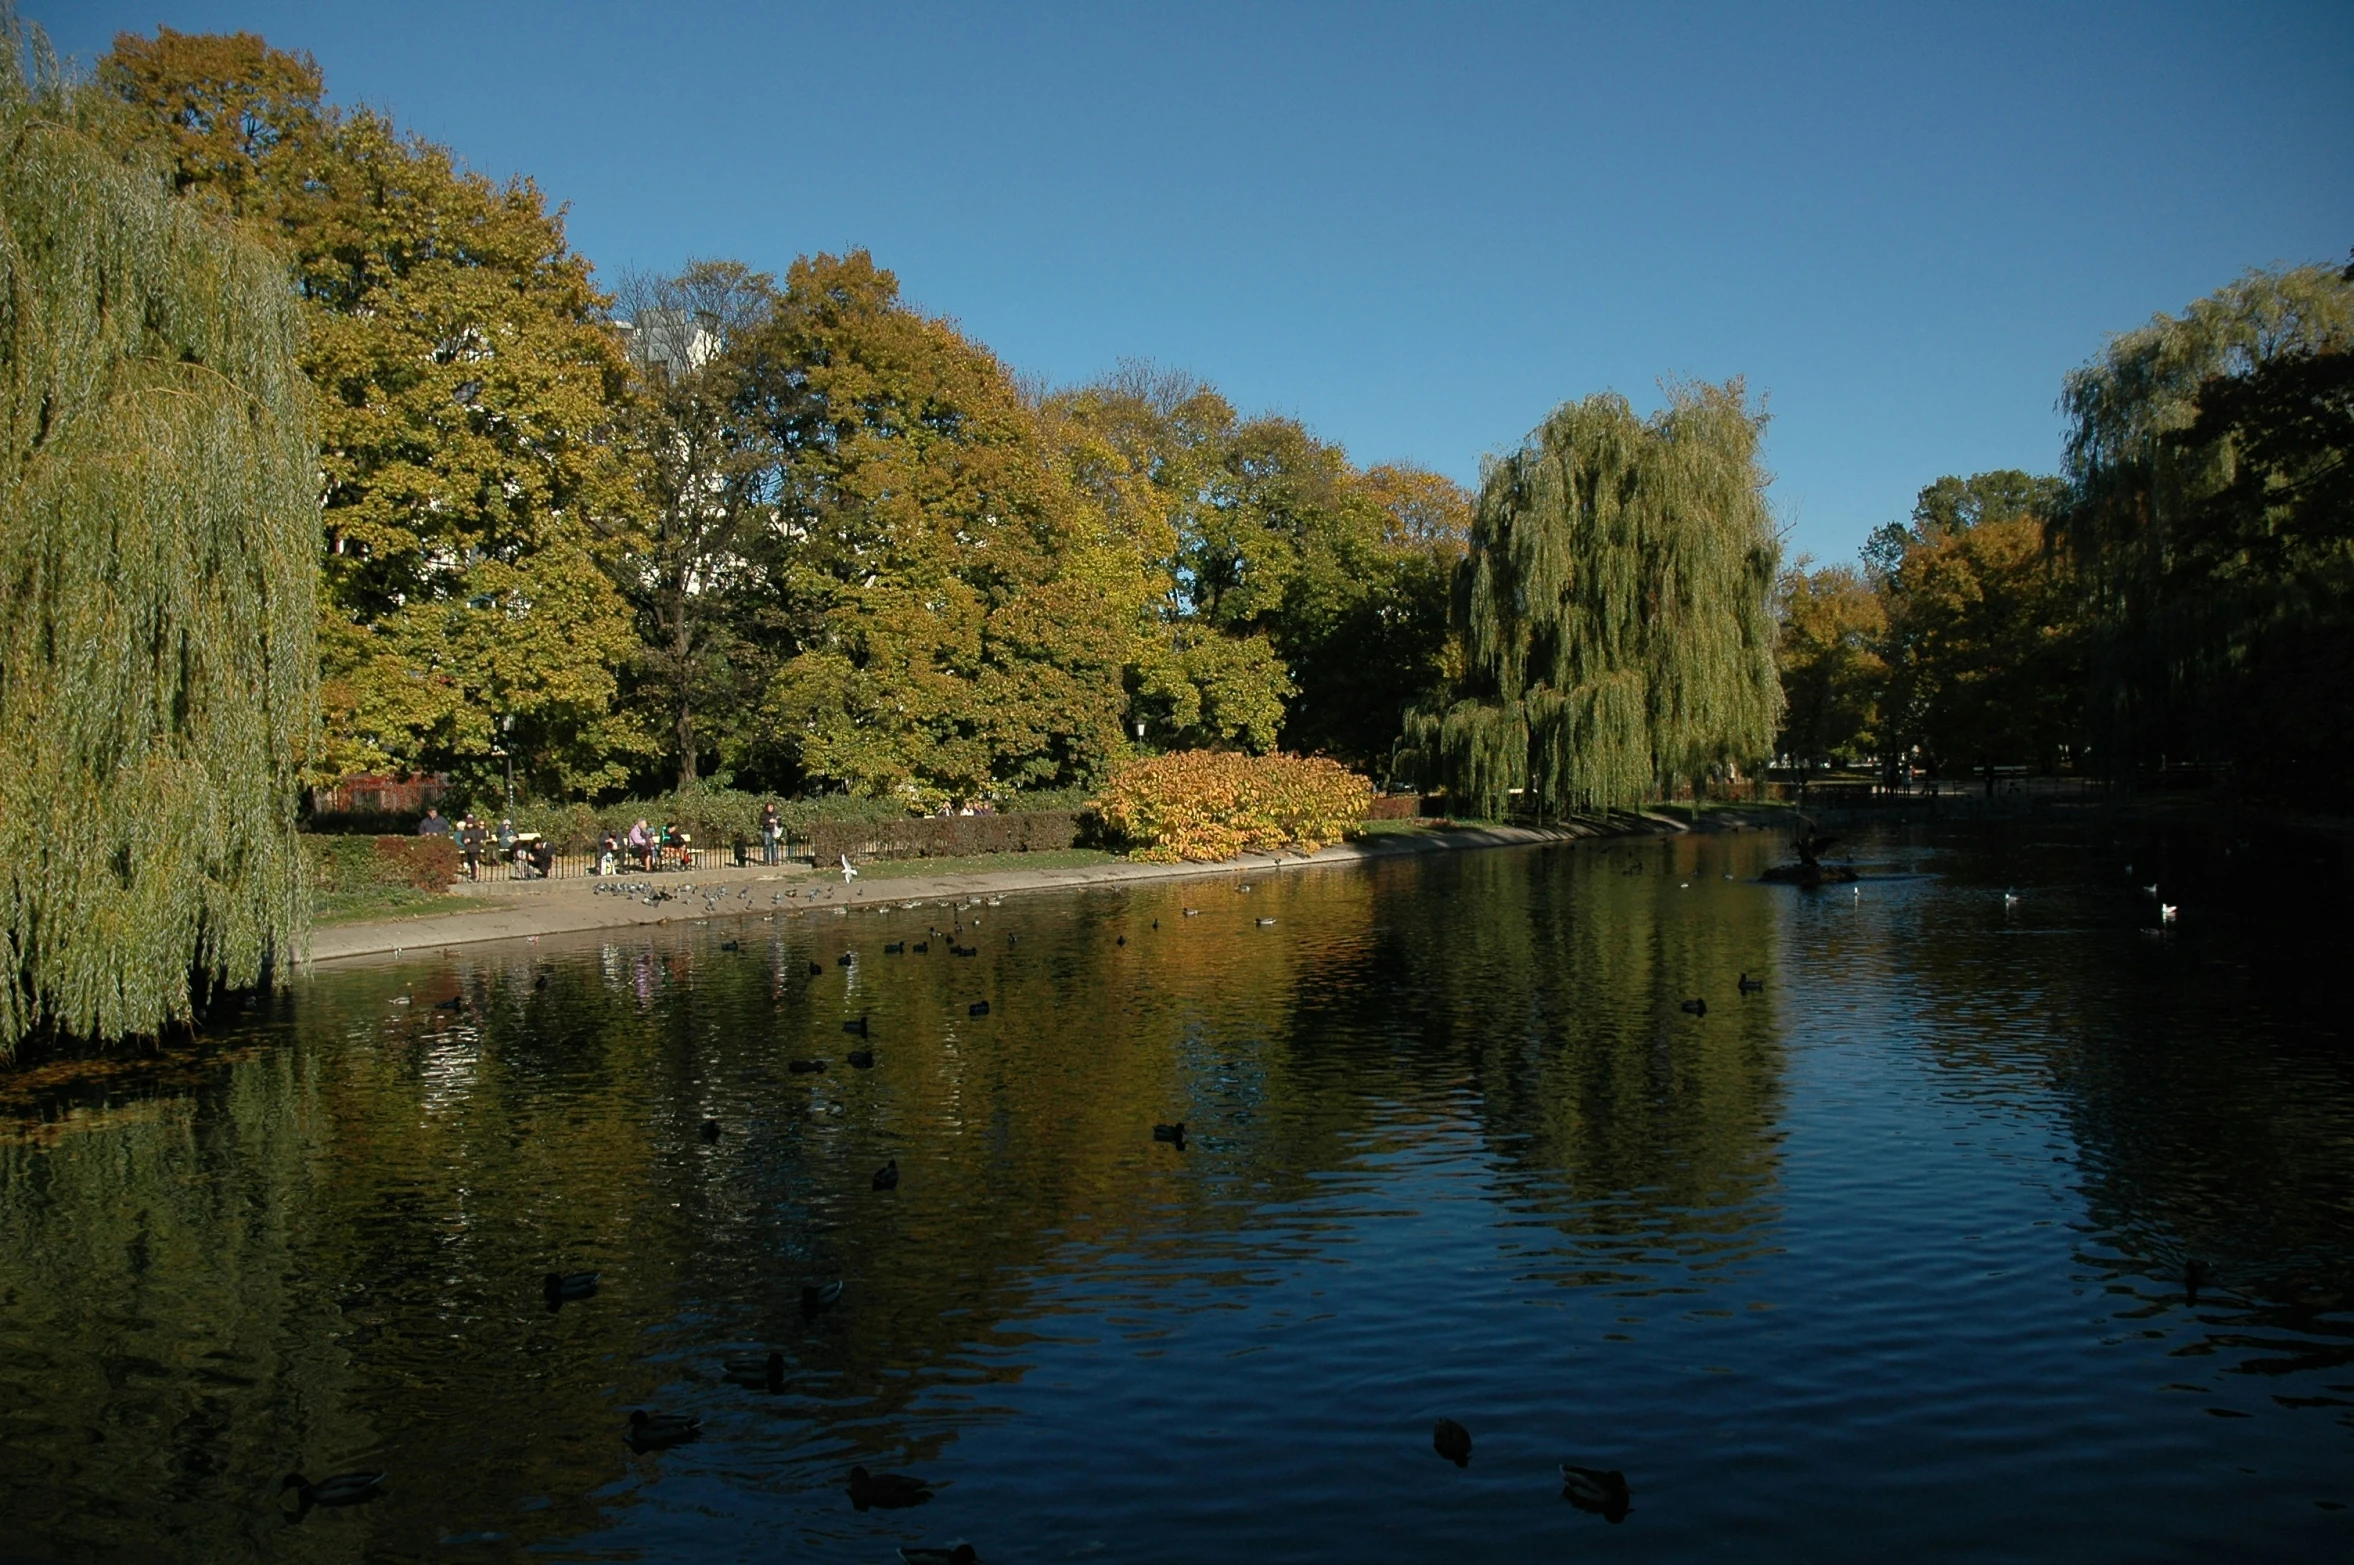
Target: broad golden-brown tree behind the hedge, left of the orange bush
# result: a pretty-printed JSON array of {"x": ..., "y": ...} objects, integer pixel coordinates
[{"x": 962, "y": 613}]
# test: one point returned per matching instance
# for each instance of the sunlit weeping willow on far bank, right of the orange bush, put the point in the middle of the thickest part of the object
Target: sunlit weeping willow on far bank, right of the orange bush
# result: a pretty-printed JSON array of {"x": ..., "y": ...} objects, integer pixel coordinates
[{"x": 1614, "y": 611}]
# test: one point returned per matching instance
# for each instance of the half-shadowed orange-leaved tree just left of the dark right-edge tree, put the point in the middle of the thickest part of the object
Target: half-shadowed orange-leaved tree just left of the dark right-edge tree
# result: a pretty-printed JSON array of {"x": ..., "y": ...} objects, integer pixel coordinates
[{"x": 1983, "y": 646}]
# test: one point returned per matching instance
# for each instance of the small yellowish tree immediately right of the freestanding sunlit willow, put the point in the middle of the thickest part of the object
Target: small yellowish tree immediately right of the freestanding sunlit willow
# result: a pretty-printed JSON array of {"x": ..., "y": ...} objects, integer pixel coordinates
[{"x": 1833, "y": 667}]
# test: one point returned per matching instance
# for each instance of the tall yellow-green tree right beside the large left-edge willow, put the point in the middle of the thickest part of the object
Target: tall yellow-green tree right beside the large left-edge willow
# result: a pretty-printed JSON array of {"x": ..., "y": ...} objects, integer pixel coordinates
[{"x": 470, "y": 397}]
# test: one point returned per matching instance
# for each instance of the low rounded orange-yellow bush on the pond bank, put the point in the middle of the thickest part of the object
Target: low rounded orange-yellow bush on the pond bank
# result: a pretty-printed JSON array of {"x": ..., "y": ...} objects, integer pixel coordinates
[{"x": 1209, "y": 806}]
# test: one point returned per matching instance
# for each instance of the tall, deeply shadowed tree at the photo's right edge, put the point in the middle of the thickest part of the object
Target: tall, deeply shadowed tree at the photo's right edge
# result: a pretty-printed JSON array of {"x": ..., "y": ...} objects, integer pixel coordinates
[{"x": 2212, "y": 521}]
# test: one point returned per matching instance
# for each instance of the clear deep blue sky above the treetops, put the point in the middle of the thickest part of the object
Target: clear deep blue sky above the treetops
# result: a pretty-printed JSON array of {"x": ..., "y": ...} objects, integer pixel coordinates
[{"x": 1423, "y": 227}]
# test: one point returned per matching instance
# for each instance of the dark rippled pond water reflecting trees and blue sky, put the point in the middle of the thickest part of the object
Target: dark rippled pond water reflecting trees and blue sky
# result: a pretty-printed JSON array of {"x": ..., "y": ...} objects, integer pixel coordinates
[{"x": 1887, "y": 1258}]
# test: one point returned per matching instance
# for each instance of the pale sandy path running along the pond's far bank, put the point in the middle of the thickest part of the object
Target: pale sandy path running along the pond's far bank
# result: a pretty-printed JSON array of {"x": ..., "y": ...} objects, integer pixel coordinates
[{"x": 519, "y": 910}]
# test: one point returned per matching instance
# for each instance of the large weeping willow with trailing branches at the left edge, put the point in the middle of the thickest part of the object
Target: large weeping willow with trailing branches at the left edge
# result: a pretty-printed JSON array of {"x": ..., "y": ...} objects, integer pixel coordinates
[{"x": 159, "y": 547}]
